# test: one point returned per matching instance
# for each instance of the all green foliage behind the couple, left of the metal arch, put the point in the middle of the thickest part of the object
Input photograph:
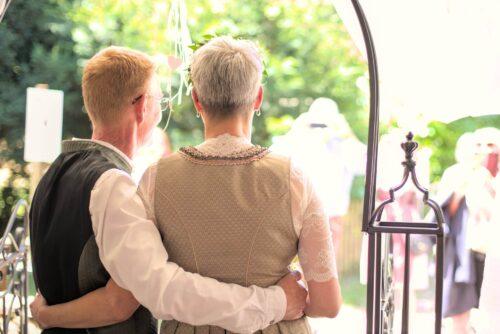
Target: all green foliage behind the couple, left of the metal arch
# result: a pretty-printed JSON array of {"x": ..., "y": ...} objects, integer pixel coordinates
[{"x": 308, "y": 54}]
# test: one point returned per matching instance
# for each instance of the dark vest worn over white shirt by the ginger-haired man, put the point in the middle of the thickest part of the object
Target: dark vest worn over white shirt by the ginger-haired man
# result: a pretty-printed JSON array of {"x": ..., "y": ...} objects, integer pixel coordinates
[{"x": 66, "y": 261}]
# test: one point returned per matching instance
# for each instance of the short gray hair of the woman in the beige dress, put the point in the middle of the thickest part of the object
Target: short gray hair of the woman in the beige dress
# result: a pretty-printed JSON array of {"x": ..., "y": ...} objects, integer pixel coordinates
[{"x": 226, "y": 75}]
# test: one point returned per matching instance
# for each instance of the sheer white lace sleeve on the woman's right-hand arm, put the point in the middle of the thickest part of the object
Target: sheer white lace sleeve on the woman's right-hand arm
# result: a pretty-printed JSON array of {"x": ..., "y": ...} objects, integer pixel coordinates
[{"x": 316, "y": 251}]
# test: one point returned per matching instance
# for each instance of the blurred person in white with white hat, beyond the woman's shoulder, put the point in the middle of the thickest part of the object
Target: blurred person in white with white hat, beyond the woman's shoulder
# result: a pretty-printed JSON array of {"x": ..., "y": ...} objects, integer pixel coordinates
[{"x": 322, "y": 143}]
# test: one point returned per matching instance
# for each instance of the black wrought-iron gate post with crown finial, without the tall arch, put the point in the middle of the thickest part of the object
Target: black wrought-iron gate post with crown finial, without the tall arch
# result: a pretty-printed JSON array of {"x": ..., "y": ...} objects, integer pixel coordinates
[{"x": 380, "y": 261}]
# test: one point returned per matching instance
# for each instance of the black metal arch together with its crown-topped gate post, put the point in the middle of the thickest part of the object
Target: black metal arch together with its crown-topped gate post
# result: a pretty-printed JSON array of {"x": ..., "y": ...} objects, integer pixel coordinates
[{"x": 380, "y": 306}]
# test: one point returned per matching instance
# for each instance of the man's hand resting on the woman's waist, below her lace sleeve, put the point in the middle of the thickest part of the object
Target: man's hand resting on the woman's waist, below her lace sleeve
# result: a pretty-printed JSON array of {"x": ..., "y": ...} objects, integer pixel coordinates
[{"x": 296, "y": 295}]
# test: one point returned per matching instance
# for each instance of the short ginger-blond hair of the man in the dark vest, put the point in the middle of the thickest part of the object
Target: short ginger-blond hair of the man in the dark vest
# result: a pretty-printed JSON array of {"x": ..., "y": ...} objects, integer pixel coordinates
[{"x": 113, "y": 78}]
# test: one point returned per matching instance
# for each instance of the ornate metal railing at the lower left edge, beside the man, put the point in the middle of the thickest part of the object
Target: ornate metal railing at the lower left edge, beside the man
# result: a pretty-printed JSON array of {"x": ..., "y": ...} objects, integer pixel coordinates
[{"x": 14, "y": 270}]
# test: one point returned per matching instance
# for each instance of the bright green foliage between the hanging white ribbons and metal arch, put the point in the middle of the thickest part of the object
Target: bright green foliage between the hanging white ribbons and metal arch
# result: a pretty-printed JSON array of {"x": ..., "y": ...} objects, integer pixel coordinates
[{"x": 308, "y": 54}]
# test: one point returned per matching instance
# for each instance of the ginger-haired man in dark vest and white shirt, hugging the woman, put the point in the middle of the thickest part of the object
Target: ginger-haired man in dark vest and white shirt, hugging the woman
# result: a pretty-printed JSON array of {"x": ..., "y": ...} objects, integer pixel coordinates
[{"x": 87, "y": 189}]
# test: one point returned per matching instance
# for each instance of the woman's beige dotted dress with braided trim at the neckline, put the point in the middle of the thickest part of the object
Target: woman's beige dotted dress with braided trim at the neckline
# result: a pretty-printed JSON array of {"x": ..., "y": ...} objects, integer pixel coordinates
[{"x": 231, "y": 217}]
